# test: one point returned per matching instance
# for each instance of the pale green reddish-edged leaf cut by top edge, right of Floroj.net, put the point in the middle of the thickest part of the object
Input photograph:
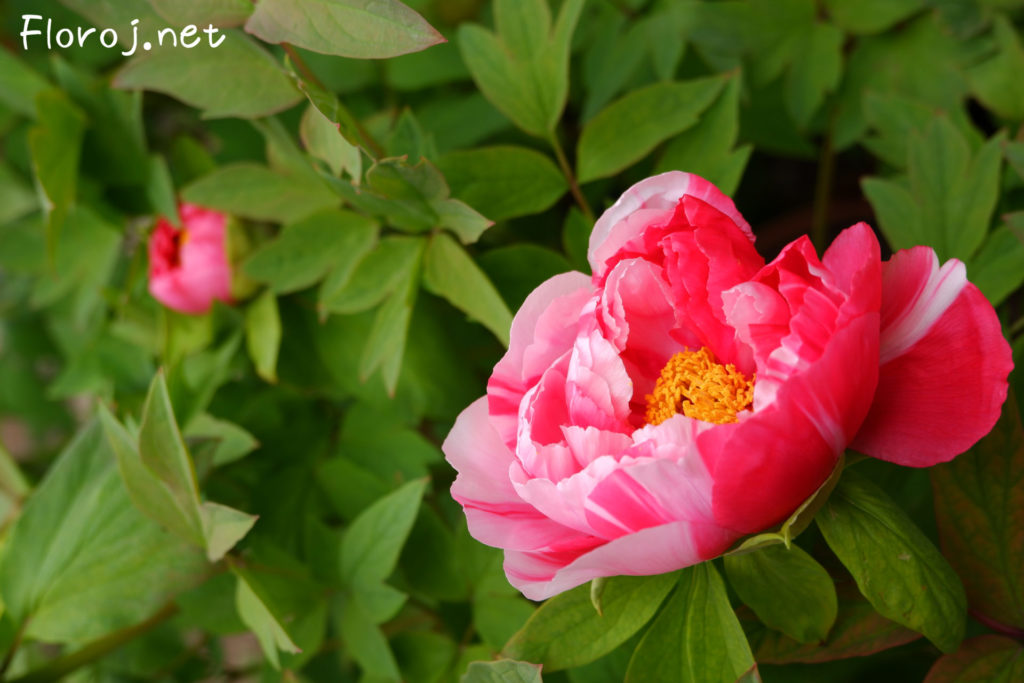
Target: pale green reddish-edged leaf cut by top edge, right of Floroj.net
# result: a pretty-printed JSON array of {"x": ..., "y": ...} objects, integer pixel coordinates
[{"x": 347, "y": 28}]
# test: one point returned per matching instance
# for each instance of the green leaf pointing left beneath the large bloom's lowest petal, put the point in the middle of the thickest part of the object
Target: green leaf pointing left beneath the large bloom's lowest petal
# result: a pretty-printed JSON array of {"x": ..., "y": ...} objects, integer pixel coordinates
[{"x": 568, "y": 632}]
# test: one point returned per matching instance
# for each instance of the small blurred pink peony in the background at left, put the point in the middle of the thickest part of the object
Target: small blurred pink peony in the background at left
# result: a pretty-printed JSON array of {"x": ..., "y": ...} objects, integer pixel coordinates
[{"x": 189, "y": 268}]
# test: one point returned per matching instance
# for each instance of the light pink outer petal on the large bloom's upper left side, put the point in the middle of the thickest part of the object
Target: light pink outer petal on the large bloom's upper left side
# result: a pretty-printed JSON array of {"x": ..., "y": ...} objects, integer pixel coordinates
[{"x": 542, "y": 331}]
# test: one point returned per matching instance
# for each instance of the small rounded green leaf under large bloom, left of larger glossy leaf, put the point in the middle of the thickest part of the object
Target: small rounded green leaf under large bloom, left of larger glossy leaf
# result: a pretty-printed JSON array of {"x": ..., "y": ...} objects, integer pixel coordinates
[{"x": 787, "y": 589}]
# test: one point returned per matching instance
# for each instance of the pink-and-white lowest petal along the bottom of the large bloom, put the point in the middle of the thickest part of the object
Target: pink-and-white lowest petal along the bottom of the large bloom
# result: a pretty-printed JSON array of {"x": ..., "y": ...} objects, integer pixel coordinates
[{"x": 652, "y": 551}]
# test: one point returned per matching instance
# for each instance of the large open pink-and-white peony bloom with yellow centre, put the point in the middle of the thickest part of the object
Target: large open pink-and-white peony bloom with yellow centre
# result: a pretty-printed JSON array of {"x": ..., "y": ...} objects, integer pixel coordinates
[{"x": 688, "y": 395}]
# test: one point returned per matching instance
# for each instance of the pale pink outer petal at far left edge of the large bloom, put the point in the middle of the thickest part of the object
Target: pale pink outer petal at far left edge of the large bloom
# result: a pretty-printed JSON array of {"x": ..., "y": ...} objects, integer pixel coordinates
[{"x": 496, "y": 515}]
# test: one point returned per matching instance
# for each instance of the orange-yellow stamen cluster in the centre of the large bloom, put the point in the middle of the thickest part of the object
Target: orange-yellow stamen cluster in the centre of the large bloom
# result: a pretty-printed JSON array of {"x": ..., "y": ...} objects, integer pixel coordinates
[{"x": 693, "y": 383}]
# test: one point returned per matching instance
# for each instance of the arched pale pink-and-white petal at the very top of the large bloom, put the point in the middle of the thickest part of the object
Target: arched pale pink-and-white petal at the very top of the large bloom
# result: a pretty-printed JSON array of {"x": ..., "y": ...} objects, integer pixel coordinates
[{"x": 659, "y": 193}]
